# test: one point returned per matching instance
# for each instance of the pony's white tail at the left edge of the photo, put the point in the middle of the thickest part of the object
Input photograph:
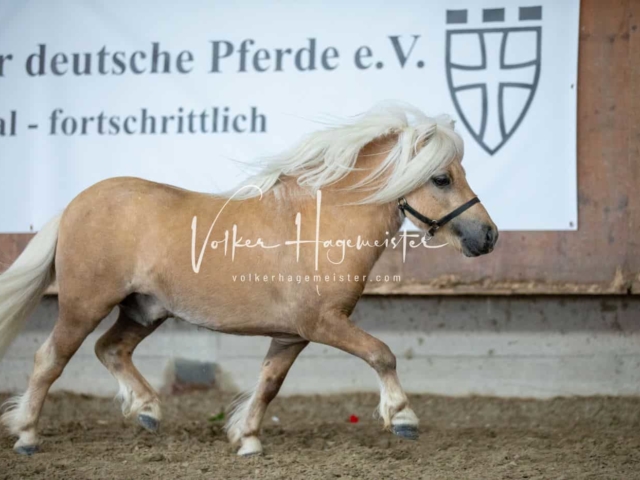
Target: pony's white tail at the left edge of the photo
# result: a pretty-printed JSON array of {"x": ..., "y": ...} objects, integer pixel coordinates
[{"x": 22, "y": 286}]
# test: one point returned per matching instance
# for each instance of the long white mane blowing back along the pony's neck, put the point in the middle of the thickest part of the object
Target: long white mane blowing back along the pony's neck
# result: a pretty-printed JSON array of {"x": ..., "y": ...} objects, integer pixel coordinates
[{"x": 425, "y": 145}]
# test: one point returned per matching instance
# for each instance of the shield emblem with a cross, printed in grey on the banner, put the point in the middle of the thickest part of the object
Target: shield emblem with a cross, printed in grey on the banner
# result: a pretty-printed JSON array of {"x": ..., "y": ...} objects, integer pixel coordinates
[{"x": 493, "y": 74}]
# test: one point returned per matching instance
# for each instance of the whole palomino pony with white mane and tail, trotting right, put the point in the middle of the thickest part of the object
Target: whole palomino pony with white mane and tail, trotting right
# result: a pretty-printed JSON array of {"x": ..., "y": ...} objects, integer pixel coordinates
[{"x": 323, "y": 212}]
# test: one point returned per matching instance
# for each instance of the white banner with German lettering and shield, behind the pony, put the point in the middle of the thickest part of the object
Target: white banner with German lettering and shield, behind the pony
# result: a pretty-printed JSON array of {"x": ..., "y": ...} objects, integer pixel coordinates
[{"x": 178, "y": 91}]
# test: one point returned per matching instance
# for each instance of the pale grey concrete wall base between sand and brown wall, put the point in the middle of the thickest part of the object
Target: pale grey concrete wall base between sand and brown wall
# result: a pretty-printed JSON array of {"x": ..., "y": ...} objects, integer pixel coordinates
[{"x": 502, "y": 346}]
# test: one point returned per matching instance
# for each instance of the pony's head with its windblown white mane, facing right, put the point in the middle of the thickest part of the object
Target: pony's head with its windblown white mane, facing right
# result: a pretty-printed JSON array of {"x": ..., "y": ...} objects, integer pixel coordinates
[{"x": 391, "y": 152}]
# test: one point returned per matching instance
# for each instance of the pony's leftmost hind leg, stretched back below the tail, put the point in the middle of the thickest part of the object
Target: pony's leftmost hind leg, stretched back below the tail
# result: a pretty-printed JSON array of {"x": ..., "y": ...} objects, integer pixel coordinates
[{"x": 22, "y": 413}]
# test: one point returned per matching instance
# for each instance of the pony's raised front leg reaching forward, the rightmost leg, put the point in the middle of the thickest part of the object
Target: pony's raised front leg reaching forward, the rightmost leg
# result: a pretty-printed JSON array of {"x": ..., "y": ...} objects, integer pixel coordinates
[{"x": 337, "y": 330}]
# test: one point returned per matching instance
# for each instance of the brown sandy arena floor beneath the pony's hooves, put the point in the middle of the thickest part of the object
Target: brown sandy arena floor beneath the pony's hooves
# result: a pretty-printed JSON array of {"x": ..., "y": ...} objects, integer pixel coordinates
[{"x": 480, "y": 438}]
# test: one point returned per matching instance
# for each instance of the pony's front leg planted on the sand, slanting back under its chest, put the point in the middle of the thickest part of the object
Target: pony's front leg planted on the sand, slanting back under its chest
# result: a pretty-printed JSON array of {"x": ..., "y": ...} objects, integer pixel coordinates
[{"x": 244, "y": 422}]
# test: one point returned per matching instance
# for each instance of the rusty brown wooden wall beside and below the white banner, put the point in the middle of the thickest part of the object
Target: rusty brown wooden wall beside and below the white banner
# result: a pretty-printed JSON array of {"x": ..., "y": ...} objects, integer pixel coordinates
[{"x": 603, "y": 256}]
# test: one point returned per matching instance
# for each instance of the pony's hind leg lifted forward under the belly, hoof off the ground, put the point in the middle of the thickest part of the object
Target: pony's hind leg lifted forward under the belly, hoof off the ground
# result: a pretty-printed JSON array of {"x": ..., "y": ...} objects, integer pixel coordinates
[{"x": 114, "y": 349}]
